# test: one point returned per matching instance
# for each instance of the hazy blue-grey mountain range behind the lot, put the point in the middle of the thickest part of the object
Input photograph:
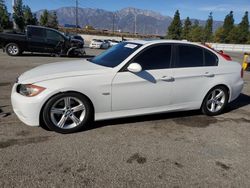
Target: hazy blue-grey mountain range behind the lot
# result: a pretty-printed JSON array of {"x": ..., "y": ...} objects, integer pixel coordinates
[{"x": 127, "y": 19}]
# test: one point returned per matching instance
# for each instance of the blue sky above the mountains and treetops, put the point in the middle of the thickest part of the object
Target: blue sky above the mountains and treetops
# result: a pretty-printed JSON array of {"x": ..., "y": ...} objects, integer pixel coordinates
[{"x": 192, "y": 8}]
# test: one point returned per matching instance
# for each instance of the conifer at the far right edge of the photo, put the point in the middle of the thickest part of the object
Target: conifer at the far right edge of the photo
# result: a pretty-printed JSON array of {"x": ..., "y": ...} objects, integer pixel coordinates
[{"x": 244, "y": 29}]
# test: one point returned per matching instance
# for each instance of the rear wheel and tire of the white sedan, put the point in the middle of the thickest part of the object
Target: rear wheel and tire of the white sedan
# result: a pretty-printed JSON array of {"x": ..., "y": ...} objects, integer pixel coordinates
[{"x": 215, "y": 101}]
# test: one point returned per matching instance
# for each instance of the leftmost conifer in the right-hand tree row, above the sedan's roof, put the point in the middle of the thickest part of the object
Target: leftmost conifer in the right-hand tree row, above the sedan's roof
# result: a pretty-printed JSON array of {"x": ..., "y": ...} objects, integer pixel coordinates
[{"x": 175, "y": 28}]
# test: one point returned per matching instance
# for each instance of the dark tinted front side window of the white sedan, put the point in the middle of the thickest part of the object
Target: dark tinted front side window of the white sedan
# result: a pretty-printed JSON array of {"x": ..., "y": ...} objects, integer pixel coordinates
[{"x": 156, "y": 57}]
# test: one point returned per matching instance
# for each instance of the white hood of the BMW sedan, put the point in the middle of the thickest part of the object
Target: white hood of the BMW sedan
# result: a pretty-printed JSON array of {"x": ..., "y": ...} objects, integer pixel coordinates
[{"x": 61, "y": 70}]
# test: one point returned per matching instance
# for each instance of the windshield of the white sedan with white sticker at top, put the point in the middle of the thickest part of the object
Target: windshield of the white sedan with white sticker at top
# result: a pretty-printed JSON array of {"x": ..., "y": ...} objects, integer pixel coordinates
[{"x": 115, "y": 55}]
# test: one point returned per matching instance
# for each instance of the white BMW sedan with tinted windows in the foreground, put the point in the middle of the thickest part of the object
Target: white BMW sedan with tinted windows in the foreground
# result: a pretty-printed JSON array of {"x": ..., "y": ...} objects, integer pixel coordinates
[{"x": 129, "y": 79}]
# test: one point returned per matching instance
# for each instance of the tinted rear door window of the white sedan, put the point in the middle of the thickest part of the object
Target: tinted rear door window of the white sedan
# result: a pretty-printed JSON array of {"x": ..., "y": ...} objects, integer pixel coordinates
[{"x": 190, "y": 56}]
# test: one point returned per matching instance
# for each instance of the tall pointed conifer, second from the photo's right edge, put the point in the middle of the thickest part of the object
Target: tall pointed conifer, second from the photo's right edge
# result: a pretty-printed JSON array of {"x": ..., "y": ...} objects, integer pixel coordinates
[{"x": 228, "y": 26}]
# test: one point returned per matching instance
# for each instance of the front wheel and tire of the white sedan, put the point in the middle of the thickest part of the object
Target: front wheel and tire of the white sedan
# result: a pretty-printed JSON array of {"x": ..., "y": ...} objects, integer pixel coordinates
[{"x": 67, "y": 113}]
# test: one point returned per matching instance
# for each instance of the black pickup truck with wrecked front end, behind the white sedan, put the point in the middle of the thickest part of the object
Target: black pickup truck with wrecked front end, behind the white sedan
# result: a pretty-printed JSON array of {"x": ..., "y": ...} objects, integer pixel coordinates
[{"x": 42, "y": 40}]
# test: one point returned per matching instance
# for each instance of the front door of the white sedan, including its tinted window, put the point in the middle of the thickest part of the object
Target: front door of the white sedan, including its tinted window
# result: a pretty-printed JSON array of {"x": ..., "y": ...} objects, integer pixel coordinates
[{"x": 150, "y": 88}]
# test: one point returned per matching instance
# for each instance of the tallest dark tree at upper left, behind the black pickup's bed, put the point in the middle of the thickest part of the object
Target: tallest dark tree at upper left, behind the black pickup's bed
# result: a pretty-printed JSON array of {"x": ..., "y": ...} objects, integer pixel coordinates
[{"x": 18, "y": 15}]
